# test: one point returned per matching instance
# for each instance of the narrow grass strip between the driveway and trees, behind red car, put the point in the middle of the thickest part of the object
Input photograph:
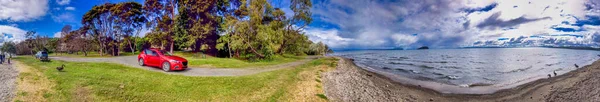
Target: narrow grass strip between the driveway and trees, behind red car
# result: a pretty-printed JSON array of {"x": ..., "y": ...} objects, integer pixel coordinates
[{"x": 196, "y": 60}]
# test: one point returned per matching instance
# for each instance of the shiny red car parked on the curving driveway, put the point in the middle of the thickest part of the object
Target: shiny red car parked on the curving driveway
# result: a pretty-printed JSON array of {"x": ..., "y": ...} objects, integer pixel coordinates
[{"x": 161, "y": 59}]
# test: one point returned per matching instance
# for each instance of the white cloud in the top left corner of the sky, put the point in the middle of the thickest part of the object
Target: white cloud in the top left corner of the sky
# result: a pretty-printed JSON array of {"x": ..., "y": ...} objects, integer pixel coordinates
[{"x": 22, "y": 10}]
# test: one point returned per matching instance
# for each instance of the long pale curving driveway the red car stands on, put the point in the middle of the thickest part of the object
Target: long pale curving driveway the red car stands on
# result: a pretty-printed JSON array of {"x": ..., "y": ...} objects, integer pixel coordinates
[{"x": 132, "y": 61}]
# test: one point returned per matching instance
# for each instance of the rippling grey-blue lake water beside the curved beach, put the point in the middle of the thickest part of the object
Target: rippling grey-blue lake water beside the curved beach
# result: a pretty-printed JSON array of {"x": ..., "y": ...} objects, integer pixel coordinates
[{"x": 471, "y": 71}]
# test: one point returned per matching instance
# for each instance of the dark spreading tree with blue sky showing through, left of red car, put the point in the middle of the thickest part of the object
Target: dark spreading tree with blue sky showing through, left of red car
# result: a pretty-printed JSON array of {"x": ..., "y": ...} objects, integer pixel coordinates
[{"x": 110, "y": 23}]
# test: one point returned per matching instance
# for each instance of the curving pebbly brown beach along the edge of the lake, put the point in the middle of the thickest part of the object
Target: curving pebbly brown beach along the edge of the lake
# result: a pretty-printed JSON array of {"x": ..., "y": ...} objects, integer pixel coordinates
[{"x": 352, "y": 83}]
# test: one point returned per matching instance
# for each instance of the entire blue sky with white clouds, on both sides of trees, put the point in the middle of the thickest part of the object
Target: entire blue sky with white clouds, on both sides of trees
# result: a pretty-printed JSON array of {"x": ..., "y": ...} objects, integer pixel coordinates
[{"x": 379, "y": 24}]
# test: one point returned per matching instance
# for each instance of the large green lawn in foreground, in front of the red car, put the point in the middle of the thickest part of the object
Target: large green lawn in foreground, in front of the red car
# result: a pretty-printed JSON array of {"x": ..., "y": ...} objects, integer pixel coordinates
[{"x": 82, "y": 81}]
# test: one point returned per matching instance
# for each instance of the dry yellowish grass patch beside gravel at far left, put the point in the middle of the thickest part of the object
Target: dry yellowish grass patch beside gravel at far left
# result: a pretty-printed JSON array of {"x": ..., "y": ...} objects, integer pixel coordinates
[{"x": 32, "y": 85}]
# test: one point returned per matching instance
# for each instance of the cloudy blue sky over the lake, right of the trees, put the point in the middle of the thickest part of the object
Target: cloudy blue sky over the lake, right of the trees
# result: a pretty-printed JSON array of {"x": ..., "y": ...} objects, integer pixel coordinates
[{"x": 360, "y": 24}]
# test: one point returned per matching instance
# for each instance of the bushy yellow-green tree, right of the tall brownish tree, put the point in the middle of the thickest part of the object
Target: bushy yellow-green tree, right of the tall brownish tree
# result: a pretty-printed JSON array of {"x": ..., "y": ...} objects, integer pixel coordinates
[{"x": 254, "y": 31}]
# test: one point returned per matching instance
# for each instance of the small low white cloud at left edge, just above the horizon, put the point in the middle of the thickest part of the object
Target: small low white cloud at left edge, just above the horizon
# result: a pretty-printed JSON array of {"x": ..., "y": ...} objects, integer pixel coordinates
[{"x": 10, "y": 33}]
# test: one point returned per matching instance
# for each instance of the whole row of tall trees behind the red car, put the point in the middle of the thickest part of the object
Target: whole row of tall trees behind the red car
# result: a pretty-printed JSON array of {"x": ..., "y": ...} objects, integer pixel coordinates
[{"x": 250, "y": 29}]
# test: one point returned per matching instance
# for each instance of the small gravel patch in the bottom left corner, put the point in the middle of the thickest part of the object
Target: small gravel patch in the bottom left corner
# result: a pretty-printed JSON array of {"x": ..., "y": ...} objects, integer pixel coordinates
[{"x": 8, "y": 74}]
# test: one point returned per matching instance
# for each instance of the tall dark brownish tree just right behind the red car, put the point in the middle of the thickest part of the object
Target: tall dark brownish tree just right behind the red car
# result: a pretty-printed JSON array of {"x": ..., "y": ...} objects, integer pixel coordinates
[{"x": 197, "y": 22}]
